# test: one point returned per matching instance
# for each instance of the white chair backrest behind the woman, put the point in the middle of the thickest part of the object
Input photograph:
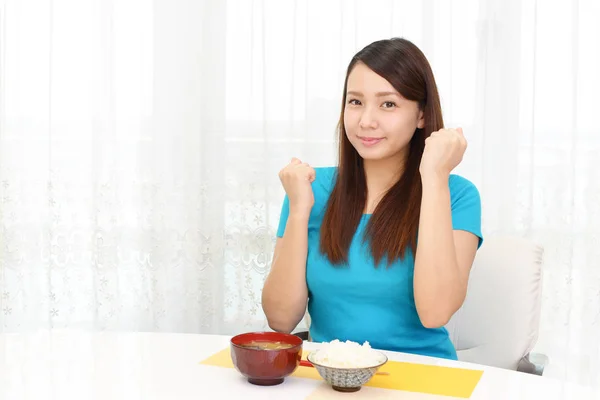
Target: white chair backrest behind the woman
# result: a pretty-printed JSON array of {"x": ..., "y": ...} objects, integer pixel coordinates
[{"x": 498, "y": 323}]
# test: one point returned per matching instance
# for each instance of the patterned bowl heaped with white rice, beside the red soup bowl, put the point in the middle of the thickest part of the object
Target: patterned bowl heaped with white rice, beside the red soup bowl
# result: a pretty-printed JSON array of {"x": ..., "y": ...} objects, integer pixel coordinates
[{"x": 346, "y": 366}]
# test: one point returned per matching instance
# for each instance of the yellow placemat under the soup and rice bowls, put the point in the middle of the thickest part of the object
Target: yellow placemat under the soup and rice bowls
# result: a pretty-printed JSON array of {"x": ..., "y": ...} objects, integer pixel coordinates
[{"x": 410, "y": 377}]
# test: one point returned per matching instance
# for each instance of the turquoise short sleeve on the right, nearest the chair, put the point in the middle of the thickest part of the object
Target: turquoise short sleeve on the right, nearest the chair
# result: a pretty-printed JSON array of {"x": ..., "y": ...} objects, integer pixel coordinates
[{"x": 466, "y": 207}]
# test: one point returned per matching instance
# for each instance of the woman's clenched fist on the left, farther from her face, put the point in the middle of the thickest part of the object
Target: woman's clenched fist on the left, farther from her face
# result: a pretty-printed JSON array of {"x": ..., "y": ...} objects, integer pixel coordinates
[{"x": 296, "y": 178}]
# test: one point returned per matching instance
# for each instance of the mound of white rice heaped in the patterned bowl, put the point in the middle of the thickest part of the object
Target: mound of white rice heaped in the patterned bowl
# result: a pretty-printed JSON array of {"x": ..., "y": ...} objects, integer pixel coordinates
[{"x": 346, "y": 355}]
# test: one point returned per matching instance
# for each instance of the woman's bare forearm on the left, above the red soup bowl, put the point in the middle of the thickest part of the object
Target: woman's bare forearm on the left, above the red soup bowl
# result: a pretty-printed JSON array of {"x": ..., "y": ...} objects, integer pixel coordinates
[{"x": 285, "y": 293}]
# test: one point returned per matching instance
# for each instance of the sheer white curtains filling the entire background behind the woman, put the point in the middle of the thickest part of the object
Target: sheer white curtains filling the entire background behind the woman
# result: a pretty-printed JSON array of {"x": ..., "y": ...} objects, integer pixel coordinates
[{"x": 140, "y": 143}]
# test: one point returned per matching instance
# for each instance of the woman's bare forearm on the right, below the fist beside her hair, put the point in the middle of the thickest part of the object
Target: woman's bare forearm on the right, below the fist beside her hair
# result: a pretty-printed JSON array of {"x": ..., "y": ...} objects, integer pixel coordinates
[{"x": 438, "y": 285}]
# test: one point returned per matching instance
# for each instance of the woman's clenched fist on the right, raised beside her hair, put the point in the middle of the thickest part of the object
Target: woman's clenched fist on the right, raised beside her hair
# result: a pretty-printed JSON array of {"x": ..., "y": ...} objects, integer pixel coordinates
[{"x": 444, "y": 150}]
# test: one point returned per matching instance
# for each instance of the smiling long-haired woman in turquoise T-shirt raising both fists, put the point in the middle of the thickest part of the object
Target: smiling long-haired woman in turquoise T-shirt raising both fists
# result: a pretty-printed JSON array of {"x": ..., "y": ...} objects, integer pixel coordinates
[{"x": 381, "y": 246}]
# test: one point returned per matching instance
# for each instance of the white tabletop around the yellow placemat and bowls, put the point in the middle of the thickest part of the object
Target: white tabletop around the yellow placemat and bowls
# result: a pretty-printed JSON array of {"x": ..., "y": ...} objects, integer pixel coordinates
[{"x": 150, "y": 366}]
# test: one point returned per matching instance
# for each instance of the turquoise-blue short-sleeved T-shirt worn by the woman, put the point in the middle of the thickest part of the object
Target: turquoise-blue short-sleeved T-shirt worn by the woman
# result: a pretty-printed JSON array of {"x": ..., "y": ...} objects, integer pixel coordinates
[{"x": 359, "y": 302}]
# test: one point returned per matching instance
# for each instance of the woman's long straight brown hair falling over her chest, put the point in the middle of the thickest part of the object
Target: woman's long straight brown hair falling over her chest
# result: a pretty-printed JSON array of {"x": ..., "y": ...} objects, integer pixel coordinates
[{"x": 392, "y": 229}]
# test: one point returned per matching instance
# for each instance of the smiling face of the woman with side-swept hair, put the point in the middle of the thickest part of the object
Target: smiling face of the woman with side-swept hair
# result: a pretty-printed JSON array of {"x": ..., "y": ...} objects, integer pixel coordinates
[{"x": 379, "y": 122}]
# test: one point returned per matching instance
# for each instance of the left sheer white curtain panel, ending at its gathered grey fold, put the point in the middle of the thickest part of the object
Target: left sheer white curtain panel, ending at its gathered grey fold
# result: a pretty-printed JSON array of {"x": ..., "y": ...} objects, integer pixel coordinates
[{"x": 111, "y": 125}]
